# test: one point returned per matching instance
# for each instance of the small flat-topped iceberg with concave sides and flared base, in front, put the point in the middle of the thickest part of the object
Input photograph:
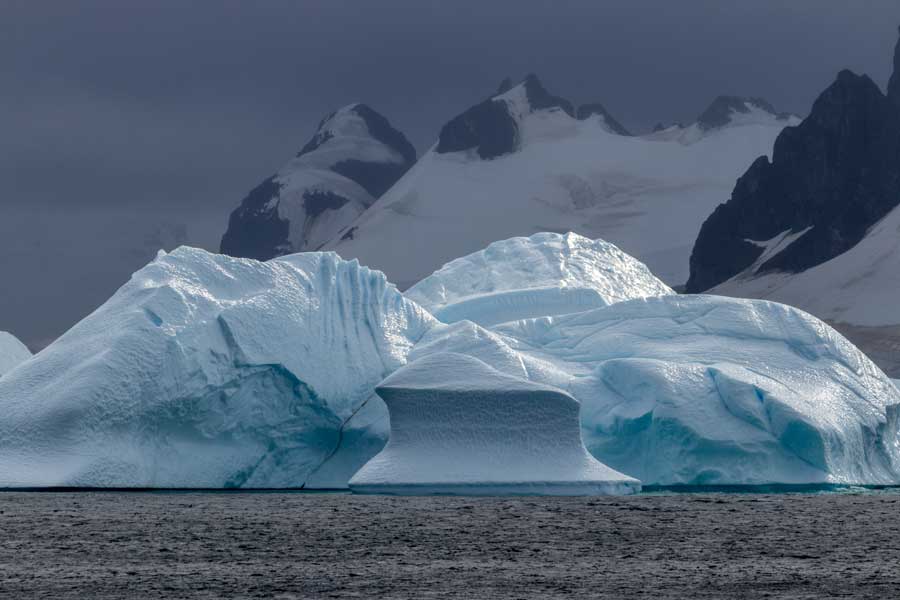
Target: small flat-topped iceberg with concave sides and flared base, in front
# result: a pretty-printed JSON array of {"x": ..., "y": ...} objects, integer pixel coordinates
[{"x": 459, "y": 426}]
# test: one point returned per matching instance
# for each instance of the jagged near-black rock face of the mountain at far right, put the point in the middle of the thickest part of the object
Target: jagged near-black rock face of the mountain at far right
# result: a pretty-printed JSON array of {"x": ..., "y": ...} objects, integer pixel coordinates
[{"x": 834, "y": 175}]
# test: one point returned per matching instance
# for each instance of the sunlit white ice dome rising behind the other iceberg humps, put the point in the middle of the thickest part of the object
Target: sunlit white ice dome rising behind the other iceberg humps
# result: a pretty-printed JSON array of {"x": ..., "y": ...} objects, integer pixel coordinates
[{"x": 542, "y": 275}]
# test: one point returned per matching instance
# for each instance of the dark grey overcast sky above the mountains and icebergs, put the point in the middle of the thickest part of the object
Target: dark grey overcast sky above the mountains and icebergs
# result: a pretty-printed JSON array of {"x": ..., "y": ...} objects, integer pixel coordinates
[{"x": 126, "y": 125}]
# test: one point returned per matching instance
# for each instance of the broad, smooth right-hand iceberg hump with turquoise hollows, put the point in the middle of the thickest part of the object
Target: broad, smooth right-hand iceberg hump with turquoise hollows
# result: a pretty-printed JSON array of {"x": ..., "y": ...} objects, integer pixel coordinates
[{"x": 705, "y": 389}]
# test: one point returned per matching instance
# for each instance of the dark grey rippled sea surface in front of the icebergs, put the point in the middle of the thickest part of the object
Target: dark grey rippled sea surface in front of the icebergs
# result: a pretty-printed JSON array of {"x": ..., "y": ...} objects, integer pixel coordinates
[{"x": 665, "y": 543}]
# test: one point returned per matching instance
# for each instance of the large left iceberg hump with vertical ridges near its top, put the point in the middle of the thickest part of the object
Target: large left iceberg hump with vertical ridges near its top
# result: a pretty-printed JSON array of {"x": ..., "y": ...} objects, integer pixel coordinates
[{"x": 208, "y": 371}]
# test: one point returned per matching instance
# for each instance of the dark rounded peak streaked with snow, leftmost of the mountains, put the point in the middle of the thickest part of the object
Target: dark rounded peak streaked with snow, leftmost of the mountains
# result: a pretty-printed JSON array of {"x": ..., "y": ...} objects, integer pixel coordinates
[{"x": 353, "y": 158}]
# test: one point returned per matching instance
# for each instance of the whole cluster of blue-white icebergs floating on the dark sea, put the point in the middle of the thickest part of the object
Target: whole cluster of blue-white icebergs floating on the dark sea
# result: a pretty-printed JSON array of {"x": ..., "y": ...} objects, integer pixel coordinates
[{"x": 210, "y": 371}]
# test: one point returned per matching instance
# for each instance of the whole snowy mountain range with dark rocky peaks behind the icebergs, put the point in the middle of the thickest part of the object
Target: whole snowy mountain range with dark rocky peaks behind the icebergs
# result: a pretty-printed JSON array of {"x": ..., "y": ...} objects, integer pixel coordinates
[{"x": 745, "y": 201}]
